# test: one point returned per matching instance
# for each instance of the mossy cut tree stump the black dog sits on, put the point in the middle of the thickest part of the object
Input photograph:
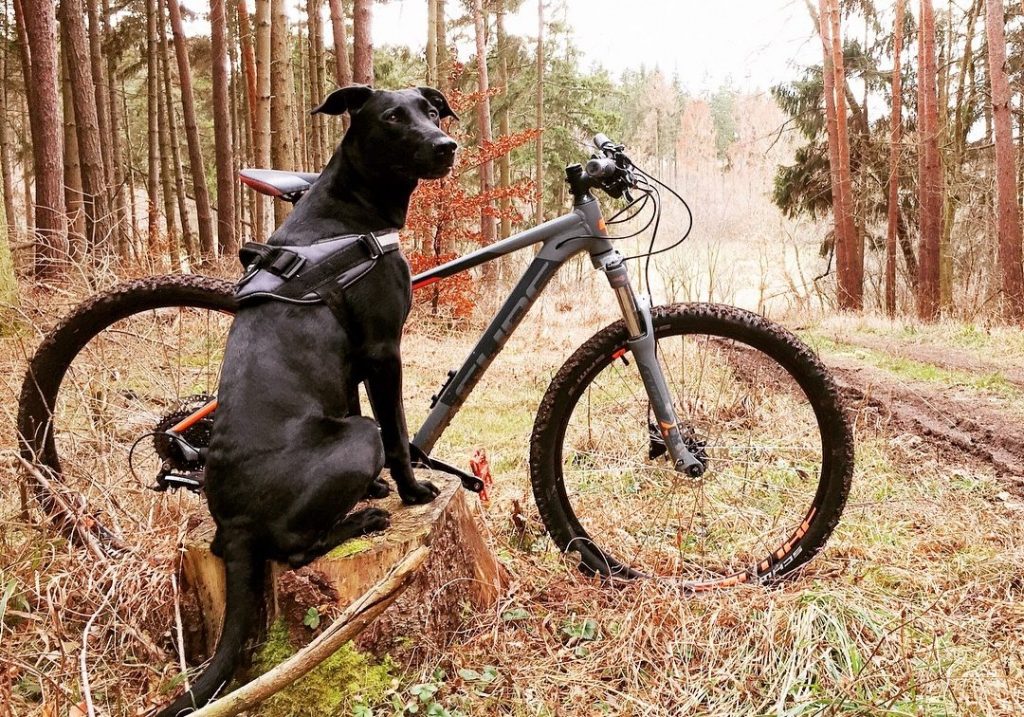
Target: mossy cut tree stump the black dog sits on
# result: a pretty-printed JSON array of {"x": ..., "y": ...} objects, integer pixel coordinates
[{"x": 460, "y": 573}]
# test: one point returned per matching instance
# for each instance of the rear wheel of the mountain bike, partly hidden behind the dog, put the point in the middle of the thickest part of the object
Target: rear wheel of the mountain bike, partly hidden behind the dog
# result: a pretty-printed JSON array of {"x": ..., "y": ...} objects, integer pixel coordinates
[{"x": 126, "y": 364}]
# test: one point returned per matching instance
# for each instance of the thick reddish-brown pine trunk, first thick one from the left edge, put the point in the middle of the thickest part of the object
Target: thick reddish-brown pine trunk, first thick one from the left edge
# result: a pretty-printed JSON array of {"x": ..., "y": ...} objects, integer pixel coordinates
[{"x": 48, "y": 147}]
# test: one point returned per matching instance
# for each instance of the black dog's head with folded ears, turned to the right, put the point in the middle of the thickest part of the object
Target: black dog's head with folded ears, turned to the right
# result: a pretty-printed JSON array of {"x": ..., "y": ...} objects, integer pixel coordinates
[{"x": 400, "y": 131}]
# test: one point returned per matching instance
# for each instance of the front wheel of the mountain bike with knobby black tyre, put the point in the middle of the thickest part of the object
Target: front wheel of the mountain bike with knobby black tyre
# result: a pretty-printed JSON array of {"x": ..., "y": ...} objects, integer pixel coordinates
[{"x": 757, "y": 407}]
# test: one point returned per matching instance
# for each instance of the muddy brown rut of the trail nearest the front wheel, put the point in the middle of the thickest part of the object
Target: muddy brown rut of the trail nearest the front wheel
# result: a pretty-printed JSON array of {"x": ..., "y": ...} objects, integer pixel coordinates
[{"x": 960, "y": 426}]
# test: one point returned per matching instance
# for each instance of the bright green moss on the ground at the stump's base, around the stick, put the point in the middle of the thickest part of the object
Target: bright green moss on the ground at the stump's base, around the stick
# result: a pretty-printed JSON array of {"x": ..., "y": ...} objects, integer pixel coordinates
[{"x": 337, "y": 686}]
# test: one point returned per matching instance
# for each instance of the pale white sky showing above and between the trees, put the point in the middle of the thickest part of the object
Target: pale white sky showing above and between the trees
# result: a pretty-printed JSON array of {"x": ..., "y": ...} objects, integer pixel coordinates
[{"x": 751, "y": 44}]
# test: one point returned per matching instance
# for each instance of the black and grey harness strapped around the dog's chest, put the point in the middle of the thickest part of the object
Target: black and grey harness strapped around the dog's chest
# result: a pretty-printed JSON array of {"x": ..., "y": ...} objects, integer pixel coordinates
[{"x": 313, "y": 274}]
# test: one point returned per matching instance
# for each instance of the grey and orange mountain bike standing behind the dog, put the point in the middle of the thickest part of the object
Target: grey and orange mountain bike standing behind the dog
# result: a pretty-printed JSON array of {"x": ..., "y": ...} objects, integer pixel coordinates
[{"x": 691, "y": 442}]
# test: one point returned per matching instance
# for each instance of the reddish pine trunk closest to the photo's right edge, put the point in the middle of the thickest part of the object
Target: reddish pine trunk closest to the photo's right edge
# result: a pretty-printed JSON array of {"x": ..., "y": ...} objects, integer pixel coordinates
[{"x": 1008, "y": 210}]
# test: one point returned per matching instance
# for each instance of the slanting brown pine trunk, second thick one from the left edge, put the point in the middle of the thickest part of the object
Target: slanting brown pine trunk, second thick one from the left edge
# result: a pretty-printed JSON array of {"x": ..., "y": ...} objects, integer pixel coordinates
[{"x": 88, "y": 129}]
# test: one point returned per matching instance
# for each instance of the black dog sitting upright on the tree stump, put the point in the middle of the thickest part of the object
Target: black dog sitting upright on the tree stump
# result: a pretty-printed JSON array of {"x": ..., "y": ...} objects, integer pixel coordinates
[{"x": 290, "y": 456}]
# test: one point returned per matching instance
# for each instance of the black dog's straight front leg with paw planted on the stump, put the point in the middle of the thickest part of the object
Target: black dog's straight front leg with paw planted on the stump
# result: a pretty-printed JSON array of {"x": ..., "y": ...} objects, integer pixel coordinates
[{"x": 385, "y": 379}]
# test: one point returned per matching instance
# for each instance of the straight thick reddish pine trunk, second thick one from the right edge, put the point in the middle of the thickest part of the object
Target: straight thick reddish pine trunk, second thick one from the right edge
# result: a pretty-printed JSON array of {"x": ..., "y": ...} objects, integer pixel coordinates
[{"x": 930, "y": 183}]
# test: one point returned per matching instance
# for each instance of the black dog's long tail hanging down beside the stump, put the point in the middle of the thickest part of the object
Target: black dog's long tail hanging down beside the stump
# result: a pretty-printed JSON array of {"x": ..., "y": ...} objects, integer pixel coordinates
[{"x": 244, "y": 574}]
